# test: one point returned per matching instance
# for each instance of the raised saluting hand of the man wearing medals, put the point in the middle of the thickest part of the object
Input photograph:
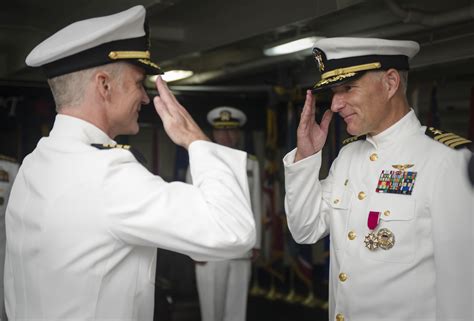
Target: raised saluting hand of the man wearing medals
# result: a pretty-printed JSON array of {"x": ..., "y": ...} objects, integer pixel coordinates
[{"x": 310, "y": 135}]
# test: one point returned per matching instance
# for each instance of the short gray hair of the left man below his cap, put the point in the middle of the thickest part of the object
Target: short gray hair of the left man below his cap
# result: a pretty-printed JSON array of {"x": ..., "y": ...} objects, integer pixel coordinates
[{"x": 69, "y": 89}]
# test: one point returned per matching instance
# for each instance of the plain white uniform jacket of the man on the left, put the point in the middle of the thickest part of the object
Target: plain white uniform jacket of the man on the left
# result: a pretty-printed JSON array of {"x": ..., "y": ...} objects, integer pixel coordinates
[{"x": 83, "y": 224}]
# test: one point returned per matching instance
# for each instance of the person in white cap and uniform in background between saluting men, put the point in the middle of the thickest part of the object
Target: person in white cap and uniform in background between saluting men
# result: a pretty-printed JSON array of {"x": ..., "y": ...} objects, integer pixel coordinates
[{"x": 223, "y": 285}]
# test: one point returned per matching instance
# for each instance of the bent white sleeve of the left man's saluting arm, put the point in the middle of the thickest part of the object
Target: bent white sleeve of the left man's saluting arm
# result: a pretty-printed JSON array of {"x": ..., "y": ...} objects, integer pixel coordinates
[{"x": 209, "y": 220}]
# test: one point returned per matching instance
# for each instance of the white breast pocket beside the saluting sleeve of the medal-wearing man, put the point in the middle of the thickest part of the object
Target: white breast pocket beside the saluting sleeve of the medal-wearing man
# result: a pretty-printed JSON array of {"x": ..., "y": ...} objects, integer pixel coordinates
[{"x": 339, "y": 202}]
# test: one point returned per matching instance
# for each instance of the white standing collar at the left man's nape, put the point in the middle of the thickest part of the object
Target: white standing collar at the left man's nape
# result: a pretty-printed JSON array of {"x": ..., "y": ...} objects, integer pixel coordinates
[{"x": 75, "y": 128}]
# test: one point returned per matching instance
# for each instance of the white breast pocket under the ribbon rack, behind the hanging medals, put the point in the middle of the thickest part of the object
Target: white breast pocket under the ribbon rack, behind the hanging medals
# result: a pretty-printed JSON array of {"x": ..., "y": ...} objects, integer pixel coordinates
[{"x": 398, "y": 216}]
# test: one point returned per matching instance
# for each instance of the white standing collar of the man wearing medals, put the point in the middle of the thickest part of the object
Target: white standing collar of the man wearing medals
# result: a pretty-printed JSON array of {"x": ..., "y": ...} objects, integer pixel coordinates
[{"x": 406, "y": 126}]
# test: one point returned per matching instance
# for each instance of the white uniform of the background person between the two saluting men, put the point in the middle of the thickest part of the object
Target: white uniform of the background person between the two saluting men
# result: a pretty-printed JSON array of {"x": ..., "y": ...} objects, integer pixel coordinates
[{"x": 223, "y": 285}]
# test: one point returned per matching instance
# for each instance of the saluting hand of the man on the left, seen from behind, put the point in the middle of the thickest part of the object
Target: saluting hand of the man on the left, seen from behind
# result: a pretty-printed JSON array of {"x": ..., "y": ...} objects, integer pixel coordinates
[{"x": 178, "y": 124}]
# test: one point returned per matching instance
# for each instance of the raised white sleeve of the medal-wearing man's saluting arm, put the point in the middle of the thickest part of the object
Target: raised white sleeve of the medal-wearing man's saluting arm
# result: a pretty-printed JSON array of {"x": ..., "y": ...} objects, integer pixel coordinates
[{"x": 306, "y": 210}]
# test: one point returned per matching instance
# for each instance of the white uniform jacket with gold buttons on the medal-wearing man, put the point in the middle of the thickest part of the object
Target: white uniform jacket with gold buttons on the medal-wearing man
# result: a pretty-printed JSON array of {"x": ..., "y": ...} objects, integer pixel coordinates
[{"x": 427, "y": 275}]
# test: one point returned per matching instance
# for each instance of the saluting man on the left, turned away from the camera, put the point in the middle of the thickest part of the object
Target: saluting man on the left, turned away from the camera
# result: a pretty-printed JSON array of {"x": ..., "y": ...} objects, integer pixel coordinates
[{"x": 85, "y": 217}]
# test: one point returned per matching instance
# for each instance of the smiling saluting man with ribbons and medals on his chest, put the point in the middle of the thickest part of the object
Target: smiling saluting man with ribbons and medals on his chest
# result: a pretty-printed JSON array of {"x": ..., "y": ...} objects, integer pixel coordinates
[{"x": 397, "y": 202}]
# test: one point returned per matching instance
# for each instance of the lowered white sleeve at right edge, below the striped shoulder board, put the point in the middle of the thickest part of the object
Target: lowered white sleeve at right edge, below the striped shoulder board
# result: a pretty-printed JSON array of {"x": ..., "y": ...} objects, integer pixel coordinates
[{"x": 451, "y": 207}]
